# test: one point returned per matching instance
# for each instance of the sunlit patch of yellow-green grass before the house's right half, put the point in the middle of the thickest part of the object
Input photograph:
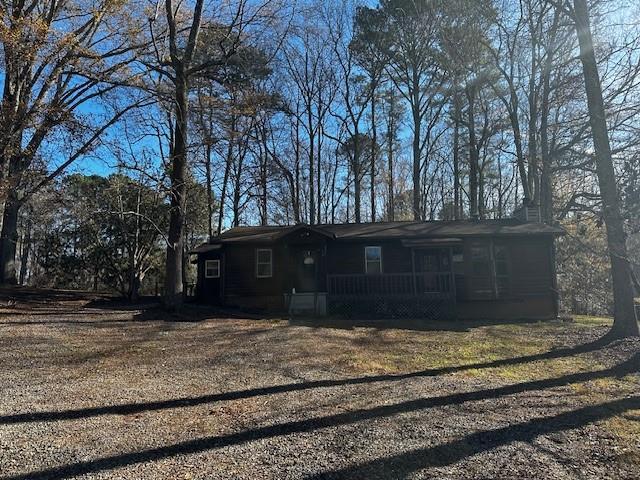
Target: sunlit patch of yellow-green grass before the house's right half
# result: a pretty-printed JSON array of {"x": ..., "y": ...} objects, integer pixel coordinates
[{"x": 417, "y": 351}]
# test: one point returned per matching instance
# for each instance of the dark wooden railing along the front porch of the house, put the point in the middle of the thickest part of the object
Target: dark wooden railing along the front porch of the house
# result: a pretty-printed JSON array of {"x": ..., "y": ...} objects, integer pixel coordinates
[{"x": 440, "y": 285}]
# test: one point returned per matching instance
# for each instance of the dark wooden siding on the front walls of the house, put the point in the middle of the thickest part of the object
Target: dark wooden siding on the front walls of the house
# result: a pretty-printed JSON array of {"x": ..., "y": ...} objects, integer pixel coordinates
[{"x": 531, "y": 275}]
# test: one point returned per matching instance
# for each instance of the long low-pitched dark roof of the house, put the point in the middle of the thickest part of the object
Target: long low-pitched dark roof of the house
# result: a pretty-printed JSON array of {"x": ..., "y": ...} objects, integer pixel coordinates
[{"x": 387, "y": 231}]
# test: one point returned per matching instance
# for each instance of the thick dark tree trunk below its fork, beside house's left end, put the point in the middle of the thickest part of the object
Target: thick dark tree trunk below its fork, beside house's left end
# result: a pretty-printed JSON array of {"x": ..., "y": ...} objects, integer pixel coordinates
[{"x": 174, "y": 288}]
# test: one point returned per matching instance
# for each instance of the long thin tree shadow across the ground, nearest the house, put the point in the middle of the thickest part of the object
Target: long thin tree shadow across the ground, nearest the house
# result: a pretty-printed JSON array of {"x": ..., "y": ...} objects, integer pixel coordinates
[{"x": 131, "y": 408}]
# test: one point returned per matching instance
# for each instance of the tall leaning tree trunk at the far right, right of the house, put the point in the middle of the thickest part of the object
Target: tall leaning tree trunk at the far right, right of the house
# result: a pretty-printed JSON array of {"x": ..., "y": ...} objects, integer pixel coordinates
[{"x": 625, "y": 323}]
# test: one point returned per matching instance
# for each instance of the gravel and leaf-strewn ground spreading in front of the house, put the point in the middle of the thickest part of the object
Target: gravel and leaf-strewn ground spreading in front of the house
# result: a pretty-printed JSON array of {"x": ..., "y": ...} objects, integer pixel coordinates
[{"x": 90, "y": 390}]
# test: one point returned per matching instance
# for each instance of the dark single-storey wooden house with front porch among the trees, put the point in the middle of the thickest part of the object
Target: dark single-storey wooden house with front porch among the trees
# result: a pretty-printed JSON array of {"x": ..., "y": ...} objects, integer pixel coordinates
[{"x": 443, "y": 269}]
